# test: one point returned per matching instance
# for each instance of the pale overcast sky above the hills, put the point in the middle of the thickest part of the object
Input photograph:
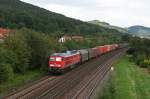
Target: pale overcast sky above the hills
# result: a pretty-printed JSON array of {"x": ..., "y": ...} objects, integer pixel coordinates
[{"x": 116, "y": 12}]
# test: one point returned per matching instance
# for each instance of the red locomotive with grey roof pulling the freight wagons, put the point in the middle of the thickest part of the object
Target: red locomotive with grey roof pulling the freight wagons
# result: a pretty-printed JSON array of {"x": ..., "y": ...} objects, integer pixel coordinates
[{"x": 58, "y": 62}]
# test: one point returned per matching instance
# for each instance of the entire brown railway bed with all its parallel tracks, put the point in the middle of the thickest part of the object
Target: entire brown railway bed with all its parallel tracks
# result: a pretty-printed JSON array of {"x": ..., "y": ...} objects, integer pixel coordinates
[{"x": 72, "y": 85}]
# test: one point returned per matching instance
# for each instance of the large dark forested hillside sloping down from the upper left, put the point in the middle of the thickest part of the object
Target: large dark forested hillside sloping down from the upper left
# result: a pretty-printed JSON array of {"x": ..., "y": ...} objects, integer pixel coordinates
[{"x": 18, "y": 14}]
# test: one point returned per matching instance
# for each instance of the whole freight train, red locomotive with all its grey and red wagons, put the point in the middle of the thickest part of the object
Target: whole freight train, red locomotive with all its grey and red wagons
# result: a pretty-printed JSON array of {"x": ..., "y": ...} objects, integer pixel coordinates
[{"x": 58, "y": 62}]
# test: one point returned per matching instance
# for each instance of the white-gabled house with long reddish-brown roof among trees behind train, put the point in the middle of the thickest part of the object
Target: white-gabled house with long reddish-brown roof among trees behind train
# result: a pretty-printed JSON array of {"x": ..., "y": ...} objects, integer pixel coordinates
[{"x": 66, "y": 38}]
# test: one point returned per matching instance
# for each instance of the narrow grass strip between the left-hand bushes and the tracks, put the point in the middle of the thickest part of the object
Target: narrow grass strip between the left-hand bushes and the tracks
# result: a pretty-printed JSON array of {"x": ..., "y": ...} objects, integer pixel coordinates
[{"x": 20, "y": 80}]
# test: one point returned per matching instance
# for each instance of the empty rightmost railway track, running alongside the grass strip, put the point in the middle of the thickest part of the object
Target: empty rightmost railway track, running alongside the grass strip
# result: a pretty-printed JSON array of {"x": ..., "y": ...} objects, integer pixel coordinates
[{"x": 88, "y": 88}]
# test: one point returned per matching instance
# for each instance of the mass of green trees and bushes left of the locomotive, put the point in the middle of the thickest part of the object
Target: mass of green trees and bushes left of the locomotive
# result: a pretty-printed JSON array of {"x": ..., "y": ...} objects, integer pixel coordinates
[{"x": 24, "y": 50}]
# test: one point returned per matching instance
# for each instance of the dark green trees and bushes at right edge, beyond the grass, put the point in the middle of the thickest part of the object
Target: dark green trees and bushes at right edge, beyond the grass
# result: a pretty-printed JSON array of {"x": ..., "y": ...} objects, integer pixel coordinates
[{"x": 140, "y": 51}]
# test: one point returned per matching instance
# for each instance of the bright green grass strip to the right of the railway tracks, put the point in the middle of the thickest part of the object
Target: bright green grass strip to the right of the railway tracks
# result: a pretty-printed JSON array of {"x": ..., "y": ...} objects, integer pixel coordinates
[{"x": 128, "y": 82}]
